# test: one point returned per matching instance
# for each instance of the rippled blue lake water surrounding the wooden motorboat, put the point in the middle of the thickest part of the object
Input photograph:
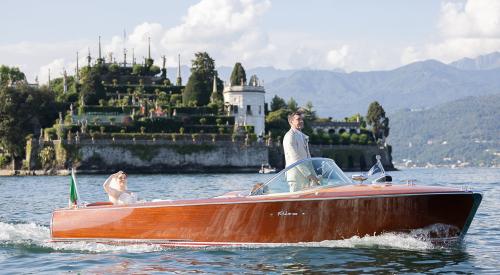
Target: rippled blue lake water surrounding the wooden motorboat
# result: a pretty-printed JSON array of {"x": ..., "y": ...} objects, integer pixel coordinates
[{"x": 26, "y": 204}]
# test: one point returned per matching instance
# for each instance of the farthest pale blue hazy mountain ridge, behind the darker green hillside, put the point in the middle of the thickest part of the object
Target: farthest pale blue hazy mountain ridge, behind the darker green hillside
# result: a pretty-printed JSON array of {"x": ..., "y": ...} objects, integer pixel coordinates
[{"x": 416, "y": 86}]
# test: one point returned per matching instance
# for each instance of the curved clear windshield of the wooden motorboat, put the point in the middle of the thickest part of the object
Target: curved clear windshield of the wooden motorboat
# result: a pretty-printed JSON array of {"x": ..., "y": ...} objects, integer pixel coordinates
[{"x": 303, "y": 175}]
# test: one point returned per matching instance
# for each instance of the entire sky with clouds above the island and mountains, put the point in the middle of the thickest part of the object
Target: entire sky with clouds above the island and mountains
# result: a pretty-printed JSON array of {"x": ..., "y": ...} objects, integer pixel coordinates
[{"x": 352, "y": 35}]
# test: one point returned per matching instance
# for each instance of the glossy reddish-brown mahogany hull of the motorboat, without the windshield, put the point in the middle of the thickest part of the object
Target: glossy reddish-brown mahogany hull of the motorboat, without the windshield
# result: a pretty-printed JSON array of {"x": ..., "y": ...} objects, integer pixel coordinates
[{"x": 308, "y": 218}]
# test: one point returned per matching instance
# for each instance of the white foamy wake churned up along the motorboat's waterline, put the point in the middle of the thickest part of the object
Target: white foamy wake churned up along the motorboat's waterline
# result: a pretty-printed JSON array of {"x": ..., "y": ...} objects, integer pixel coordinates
[{"x": 32, "y": 235}]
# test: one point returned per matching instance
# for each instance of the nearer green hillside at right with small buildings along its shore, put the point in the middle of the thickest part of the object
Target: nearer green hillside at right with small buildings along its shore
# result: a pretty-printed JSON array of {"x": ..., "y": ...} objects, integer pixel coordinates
[{"x": 466, "y": 130}]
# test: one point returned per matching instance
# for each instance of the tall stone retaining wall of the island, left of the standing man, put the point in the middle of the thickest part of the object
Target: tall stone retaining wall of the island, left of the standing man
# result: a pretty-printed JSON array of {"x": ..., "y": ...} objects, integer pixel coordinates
[{"x": 148, "y": 156}]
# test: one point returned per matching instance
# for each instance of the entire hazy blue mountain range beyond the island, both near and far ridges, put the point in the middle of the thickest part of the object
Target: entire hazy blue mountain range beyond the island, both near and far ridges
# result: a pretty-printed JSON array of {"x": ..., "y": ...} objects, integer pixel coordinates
[{"x": 439, "y": 113}]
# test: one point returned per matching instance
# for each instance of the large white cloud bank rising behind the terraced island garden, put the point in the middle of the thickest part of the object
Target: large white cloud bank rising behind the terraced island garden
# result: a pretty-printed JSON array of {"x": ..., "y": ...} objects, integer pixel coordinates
[{"x": 227, "y": 29}]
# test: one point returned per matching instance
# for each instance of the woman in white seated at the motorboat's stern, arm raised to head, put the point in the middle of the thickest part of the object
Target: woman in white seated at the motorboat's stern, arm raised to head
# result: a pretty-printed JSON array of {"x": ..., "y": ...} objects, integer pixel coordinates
[{"x": 116, "y": 187}]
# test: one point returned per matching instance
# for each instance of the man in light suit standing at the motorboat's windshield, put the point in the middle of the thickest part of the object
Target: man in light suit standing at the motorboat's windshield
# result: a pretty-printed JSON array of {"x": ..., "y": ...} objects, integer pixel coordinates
[{"x": 295, "y": 145}]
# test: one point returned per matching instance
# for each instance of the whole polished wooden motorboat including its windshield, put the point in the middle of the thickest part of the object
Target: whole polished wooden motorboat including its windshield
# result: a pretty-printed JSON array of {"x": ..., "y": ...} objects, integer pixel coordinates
[{"x": 329, "y": 207}]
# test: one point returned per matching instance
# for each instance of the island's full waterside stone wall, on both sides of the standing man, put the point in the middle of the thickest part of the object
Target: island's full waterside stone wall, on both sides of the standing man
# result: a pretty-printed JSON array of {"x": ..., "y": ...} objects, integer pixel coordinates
[{"x": 164, "y": 156}]
